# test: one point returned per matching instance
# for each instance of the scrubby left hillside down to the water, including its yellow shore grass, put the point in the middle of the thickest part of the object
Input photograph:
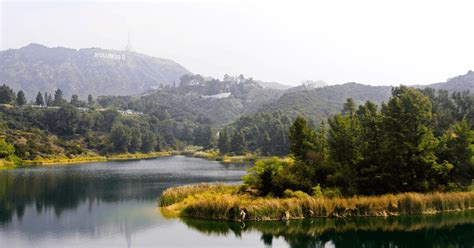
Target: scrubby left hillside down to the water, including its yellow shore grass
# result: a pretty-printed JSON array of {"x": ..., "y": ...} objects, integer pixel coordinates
[{"x": 52, "y": 130}]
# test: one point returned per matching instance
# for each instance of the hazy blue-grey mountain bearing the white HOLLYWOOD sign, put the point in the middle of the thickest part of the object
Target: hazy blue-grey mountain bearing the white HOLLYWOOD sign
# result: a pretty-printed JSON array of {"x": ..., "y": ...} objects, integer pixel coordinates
[{"x": 93, "y": 71}]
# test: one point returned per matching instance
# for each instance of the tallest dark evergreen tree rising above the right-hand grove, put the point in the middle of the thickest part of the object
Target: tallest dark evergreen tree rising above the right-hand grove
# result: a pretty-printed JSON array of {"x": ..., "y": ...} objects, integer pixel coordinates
[{"x": 409, "y": 145}]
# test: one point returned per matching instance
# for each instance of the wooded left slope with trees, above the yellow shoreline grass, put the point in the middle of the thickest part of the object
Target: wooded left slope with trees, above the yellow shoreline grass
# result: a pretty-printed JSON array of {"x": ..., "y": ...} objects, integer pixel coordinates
[{"x": 70, "y": 130}]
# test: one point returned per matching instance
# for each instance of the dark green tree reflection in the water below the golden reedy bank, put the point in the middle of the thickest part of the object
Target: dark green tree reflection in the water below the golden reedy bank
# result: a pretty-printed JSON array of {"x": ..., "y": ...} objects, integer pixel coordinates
[{"x": 441, "y": 230}]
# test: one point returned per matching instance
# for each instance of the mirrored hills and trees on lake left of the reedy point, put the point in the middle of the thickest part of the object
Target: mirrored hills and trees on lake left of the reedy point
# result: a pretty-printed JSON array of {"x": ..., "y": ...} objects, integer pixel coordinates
[{"x": 98, "y": 199}]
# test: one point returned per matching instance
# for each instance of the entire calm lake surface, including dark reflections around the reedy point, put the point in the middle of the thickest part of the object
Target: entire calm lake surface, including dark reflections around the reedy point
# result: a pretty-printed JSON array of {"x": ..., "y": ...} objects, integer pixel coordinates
[{"x": 114, "y": 204}]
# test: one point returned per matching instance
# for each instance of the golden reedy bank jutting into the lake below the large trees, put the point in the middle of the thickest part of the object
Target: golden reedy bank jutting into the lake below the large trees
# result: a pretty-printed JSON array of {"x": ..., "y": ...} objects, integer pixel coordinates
[{"x": 225, "y": 202}]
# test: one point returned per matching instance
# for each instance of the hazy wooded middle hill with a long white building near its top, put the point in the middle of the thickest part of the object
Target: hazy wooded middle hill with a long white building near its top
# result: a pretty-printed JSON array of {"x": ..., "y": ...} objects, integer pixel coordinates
[{"x": 198, "y": 99}]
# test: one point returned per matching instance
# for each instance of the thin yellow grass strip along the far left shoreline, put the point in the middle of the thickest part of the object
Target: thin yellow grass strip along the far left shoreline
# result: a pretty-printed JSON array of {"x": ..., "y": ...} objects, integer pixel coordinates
[{"x": 94, "y": 158}]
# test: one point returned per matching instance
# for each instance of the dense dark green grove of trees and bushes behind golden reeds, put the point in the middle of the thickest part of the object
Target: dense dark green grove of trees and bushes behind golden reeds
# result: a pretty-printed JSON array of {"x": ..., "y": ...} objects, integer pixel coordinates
[{"x": 418, "y": 141}]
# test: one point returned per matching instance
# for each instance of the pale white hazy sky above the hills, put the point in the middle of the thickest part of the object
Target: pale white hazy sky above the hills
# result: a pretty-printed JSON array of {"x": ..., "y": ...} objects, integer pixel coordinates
[{"x": 372, "y": 42}]
